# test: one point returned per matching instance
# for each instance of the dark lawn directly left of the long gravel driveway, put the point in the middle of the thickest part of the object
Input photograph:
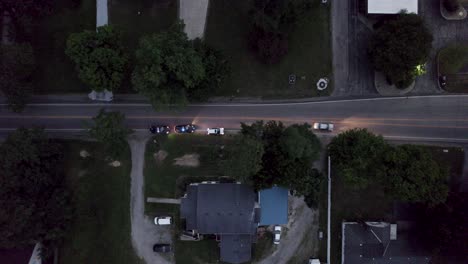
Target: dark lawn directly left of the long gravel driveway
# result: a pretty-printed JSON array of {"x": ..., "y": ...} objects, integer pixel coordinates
[{"x": 100, "y": 232}]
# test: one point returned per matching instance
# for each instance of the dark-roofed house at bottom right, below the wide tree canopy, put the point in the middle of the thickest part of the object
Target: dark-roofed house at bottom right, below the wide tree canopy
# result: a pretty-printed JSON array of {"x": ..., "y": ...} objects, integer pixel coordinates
[{"x": 378, "y": 243}]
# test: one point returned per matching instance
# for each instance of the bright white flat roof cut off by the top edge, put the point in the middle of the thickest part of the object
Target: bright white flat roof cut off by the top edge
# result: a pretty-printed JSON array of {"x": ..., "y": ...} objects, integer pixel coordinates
[{"x": 391, "y": 6}]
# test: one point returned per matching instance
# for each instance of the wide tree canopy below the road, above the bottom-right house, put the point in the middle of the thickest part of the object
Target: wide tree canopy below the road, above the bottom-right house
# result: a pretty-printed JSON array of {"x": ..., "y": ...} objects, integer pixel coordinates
[{"x": 407, "y": 173}]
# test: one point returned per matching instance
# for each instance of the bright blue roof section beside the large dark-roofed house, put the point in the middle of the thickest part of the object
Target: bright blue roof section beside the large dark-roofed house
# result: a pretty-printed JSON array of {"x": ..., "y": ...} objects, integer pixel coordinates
[{"x": 274, "y": 206}]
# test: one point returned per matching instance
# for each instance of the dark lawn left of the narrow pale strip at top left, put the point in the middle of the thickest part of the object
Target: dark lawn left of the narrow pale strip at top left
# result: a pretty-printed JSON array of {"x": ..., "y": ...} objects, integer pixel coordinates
[{"x": 55, "y": 72}]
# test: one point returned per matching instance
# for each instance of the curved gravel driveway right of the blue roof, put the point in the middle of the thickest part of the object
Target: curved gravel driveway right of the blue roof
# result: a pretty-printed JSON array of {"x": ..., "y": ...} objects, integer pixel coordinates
[{"x": 300, "y": 239}]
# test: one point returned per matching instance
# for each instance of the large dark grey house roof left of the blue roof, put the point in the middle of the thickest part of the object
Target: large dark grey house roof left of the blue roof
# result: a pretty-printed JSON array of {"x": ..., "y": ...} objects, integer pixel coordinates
[{"x": 228, "y": 210}]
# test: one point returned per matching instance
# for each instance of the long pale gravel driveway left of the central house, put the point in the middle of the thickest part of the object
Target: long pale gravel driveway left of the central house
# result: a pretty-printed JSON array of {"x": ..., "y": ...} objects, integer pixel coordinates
[{"x": 144, "y": 232}]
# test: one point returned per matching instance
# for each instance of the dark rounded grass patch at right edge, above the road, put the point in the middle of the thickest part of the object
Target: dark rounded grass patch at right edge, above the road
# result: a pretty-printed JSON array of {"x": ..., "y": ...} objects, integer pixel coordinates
[{"x": 453, "y": 63}]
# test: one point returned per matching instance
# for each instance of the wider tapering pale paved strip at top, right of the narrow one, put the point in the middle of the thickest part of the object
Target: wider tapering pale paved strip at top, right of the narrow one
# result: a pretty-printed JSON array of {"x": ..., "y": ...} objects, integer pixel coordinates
[{"x": 193, "y": 13}]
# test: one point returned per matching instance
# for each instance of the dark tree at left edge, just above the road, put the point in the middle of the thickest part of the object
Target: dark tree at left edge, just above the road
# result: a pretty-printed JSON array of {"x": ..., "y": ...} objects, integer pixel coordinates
[{"x": 16, "y": 67}]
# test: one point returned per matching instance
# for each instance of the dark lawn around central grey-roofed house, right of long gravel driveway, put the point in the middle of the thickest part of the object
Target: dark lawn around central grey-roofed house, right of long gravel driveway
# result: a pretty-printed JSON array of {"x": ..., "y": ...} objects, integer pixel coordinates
[{"x": 165, "y": 179}]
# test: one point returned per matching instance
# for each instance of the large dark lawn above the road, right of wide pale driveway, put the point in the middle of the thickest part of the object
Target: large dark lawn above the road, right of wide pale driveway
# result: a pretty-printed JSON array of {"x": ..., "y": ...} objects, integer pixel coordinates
[{"x": 309, "y": 53}]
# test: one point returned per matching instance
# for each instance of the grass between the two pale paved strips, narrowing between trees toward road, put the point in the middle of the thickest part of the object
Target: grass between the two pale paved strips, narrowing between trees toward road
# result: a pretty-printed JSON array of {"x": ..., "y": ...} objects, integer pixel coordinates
[{"x": 155, "y": 16}]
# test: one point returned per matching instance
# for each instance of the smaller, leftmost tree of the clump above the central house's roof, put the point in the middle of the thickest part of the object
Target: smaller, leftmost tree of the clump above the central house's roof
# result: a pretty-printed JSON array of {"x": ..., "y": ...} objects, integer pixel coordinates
[{"x": 243, "y": 159}]
